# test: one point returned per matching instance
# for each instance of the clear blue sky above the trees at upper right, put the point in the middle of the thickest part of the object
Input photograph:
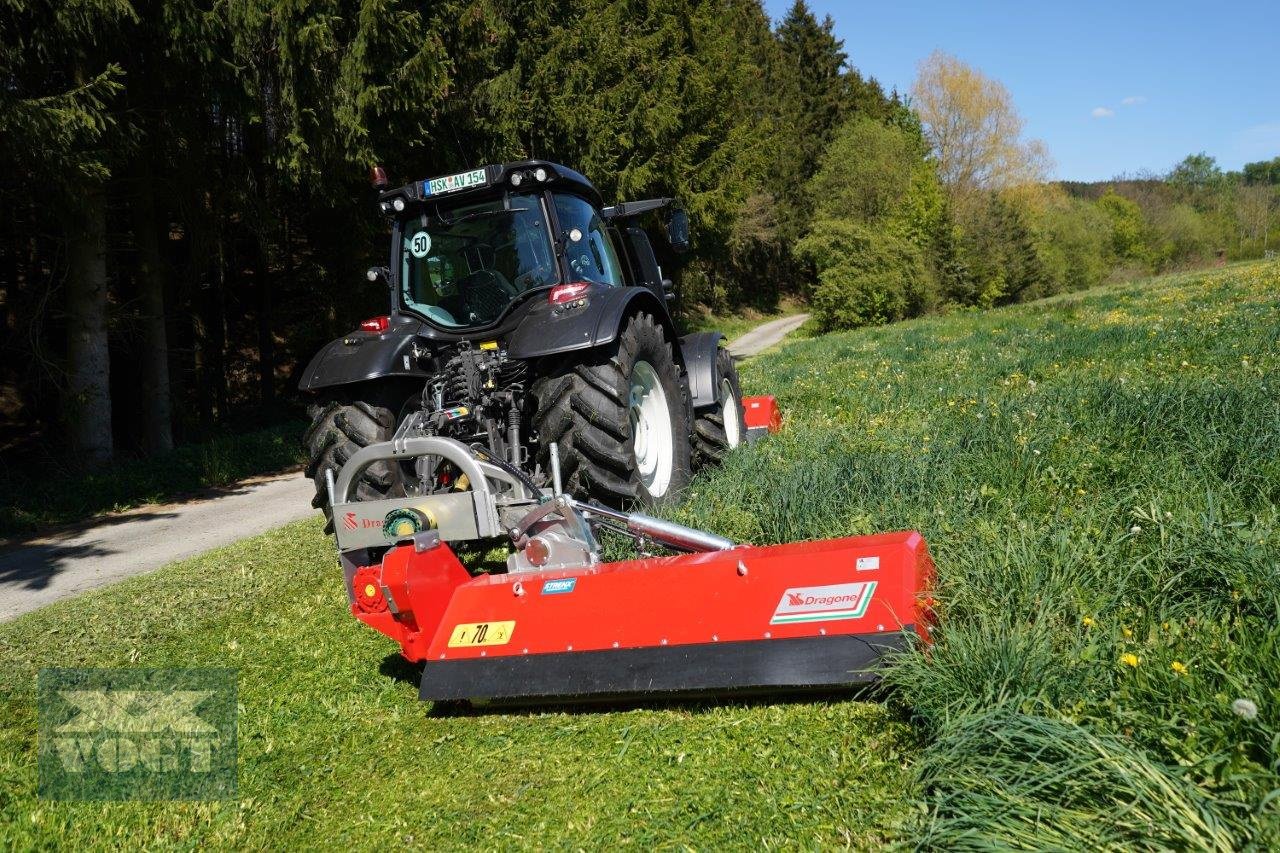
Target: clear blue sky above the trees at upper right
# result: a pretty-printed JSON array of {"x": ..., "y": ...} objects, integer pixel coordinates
[{"x": 1110, "y": 88}]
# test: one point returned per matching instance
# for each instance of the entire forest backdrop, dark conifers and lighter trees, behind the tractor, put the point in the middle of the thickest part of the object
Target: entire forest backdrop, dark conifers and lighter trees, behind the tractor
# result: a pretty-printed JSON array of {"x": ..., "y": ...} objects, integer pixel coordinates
[{"x": 186, "y": 216}]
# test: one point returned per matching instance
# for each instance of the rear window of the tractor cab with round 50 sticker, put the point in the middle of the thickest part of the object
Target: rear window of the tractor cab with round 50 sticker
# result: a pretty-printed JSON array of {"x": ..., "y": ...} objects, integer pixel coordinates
[{"x": 465, "y": 270}]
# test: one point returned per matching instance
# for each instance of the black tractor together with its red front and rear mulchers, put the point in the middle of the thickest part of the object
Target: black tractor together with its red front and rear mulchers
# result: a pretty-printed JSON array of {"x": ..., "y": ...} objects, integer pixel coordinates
[{"x": 529, "y": 385}]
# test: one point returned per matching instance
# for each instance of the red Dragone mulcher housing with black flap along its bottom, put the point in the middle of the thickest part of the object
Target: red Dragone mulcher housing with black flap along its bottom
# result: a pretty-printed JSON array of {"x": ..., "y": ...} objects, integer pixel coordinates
[{"x": 793, "y": 617}]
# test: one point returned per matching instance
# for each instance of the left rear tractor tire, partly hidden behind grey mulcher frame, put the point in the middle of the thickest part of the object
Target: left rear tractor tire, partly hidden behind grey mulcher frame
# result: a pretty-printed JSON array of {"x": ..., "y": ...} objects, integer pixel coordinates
[{"x": 340, "y": 427}]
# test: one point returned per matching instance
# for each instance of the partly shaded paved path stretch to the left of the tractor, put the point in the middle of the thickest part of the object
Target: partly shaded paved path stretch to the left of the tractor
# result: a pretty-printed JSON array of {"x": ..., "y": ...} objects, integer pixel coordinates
[{"x": 108, "y": 549}]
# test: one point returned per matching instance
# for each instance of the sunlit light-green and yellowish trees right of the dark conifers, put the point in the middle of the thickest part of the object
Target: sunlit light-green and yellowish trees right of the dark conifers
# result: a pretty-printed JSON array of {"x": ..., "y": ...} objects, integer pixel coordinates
[{"x": 948, "y": 206}]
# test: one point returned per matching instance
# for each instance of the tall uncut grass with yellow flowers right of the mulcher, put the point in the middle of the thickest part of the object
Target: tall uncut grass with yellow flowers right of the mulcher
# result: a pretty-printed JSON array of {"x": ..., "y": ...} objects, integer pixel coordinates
[{"x": 1098, "y": 478}]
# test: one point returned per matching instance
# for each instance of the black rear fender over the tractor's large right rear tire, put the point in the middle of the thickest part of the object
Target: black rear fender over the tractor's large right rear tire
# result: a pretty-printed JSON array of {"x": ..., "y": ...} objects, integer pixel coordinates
[{"x": 600, "y": 322}]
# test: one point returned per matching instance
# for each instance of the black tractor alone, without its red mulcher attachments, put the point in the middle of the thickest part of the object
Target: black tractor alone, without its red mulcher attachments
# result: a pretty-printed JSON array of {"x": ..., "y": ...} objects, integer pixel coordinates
[{"x": 525, "y": 314}]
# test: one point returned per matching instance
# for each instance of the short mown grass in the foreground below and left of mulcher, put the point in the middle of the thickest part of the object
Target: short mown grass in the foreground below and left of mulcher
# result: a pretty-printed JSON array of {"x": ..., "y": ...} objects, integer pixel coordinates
[{"x": 336, "y": 750}]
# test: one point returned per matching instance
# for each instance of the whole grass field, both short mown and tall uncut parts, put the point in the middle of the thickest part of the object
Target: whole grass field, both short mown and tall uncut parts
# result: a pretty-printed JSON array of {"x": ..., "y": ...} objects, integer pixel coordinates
[{"x": 1098, "y": 477}]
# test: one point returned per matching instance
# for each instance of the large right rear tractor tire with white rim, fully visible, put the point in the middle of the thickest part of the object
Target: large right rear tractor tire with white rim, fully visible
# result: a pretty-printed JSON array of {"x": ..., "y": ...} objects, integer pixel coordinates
[{"x": 620, "y": 418}]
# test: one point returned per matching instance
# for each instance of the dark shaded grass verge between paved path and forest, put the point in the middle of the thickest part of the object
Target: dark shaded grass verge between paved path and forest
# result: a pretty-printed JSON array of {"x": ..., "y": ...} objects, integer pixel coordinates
[{"x": 34, "y": 500}]
